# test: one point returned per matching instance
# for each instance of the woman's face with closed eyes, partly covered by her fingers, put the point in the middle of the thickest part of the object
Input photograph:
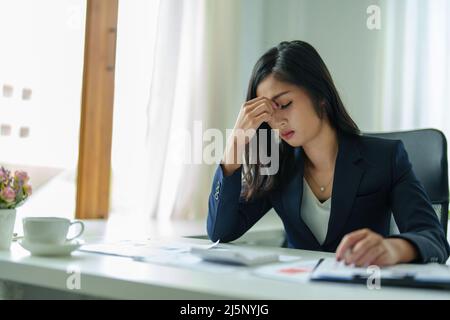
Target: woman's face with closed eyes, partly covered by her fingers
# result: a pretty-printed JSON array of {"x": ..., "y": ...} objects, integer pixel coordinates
[{"x": 295, "y": 115}]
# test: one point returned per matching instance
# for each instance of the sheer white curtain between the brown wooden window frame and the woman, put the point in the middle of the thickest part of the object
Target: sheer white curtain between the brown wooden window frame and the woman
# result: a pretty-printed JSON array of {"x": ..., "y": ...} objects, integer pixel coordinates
[{"x": 161, "y": 89}]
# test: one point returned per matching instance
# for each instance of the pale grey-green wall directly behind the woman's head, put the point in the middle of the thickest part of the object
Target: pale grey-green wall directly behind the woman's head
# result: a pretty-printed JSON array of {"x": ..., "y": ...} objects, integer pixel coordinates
[{"x": 337, "y": 29}]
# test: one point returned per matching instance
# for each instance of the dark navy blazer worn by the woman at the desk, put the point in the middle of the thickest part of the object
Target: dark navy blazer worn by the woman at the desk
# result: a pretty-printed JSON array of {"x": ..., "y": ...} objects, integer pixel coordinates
[{"x": 373, "y": 179}]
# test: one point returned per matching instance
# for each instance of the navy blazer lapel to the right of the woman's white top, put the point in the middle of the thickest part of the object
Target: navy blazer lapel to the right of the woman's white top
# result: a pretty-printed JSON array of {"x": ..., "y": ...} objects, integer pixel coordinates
[{"x": 347, "y": 176}]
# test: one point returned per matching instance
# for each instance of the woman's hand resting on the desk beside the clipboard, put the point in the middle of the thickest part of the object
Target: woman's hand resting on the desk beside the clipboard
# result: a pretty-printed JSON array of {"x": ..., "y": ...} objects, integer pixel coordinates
[{"x": 365, "y": 247}]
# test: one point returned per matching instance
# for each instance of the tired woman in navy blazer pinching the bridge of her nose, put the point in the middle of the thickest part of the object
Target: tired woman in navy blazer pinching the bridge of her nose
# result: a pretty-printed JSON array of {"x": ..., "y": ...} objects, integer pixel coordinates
[{"x": 335, "y": 189}]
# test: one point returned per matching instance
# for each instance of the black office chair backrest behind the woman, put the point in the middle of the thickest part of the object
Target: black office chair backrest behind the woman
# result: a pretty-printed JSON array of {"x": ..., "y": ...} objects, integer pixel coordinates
[{"x": 427, "y": 151}]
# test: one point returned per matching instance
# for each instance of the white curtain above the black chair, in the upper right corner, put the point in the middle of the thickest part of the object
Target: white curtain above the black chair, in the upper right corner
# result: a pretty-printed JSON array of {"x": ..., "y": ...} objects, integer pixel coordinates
[{"x": 416, "y": 82}]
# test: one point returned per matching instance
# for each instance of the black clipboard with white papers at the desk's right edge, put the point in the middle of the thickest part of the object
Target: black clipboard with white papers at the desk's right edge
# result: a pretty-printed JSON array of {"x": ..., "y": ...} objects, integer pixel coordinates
[{"x": 431, "y": 275}]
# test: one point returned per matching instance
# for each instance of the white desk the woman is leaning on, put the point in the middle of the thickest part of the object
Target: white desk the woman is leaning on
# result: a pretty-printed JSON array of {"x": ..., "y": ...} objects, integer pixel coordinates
[{"x": 122, "y": 278}]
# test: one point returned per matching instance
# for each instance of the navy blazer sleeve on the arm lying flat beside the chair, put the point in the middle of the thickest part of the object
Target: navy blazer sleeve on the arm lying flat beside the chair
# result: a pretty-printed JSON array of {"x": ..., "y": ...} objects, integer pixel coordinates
[{"x": 413, "y": 212}]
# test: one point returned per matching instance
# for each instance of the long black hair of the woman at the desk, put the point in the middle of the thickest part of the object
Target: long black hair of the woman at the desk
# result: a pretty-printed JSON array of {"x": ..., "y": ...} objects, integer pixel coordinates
[{"x": 298, "y": 63}]
